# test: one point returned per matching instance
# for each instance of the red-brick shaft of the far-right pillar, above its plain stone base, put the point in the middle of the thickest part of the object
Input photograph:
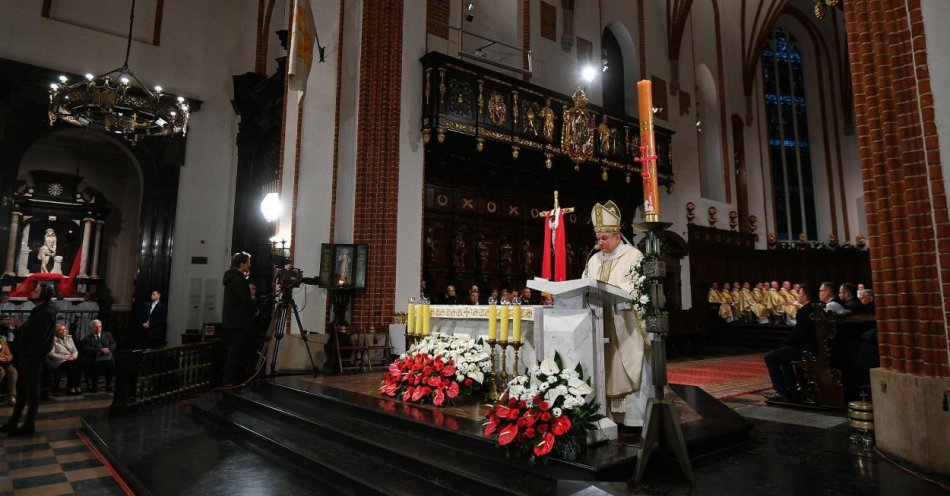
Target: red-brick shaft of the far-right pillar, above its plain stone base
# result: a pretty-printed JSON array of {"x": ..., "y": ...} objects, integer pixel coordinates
[{"x": 908, "y": 225}]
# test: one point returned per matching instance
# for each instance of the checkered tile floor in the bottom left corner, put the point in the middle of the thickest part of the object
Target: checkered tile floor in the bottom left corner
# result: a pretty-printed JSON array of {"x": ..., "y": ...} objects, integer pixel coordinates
[{"x": 55, "y": 460}]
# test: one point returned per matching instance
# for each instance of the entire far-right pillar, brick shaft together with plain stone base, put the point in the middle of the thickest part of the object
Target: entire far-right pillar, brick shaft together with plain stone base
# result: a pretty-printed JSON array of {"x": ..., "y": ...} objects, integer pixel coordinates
[{"x": 908, "y": 222}]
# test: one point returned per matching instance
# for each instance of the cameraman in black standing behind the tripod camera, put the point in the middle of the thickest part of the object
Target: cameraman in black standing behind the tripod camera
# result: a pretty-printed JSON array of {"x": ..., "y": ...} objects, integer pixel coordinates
[{"x": 238, "y": 317}]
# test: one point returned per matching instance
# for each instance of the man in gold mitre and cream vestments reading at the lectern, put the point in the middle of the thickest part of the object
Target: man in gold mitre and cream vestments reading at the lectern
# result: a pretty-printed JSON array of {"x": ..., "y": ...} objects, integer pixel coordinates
[{"x": 626, "y": 363}]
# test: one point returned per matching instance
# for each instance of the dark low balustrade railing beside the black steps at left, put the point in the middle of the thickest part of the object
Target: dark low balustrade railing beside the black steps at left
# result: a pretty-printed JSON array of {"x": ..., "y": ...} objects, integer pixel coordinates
[{"x": 155, "y": 375}]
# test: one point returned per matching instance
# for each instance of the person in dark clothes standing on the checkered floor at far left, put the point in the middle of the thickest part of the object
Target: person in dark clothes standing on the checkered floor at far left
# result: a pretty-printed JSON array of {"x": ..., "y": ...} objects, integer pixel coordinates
[{"x": 34, "y": 341}]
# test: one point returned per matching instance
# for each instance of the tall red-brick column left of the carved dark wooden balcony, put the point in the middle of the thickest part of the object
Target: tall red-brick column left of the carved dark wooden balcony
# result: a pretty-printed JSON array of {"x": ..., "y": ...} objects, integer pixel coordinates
[{"x": 377, "y": 158}]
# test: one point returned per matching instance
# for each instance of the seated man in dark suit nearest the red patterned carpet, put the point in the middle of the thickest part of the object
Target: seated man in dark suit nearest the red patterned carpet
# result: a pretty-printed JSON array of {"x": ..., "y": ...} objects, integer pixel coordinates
[{"x": 802, "y": 338}]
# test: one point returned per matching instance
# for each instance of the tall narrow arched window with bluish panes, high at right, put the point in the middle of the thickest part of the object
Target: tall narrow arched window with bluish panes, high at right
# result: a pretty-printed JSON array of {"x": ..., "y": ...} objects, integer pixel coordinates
[{"x": 789, "y": 151}]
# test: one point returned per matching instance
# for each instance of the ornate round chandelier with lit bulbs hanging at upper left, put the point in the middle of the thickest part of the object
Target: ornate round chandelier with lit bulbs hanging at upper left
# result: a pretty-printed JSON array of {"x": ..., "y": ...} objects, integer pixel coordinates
[{"x": 118, "y": 103}]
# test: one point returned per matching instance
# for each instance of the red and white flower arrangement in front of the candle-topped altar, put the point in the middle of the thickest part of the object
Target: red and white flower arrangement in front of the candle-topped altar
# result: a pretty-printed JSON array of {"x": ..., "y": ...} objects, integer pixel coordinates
[{"x": 421, "y": 377}]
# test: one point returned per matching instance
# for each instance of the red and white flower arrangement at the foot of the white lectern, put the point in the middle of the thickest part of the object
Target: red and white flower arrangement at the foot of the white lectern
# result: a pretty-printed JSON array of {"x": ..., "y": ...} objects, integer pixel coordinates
[{"x": 544, "y": 411}]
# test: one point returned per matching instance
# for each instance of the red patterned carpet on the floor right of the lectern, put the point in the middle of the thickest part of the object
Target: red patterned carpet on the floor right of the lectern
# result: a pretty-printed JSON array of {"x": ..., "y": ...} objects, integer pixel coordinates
[{"x": 723, "y": 377}]
